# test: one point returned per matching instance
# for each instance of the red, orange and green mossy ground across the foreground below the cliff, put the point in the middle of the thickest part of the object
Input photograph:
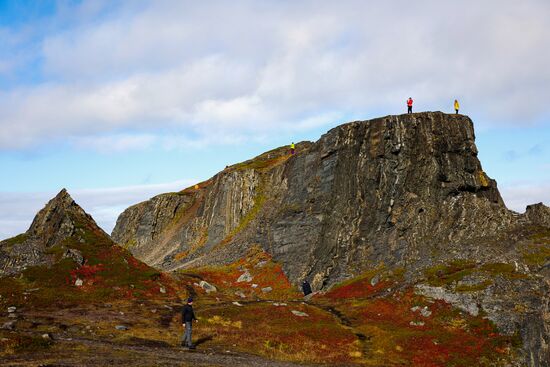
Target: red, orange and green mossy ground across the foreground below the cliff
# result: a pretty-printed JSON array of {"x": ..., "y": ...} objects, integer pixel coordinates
[{"x": 369, "y": 320}]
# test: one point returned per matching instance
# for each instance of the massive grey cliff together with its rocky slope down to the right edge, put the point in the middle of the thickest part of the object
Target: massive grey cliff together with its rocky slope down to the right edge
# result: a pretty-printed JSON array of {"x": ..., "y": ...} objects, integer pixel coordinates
[{"x": 403, "y": 192}]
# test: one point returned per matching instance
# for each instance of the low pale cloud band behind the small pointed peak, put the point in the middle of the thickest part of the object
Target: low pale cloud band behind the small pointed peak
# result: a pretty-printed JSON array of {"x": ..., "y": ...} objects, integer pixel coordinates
[{"x": 104, "y": 205}]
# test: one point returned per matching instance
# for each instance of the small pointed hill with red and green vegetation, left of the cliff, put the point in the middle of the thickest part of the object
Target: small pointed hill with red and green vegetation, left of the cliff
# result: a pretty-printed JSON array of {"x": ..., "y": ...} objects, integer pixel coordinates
[{"x": 65, "y": 256}]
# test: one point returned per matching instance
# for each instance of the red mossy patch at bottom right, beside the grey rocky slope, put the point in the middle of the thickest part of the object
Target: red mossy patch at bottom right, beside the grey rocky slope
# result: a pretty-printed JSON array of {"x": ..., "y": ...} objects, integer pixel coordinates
[{"x": 442, "y": 337}]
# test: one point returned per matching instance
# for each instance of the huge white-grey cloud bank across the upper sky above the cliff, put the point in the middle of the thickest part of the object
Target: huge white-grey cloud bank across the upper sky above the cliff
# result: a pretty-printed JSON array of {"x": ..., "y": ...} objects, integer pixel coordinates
[{"x": 247, "y": 68}]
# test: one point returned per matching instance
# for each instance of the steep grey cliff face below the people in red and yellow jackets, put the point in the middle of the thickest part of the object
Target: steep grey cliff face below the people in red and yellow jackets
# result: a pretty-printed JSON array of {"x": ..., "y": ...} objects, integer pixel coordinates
[{"x": 391, "y": 190}]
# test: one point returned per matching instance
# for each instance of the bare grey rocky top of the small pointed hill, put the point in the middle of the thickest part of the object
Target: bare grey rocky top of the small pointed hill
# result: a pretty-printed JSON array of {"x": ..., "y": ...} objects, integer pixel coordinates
[{"x": 59, "y": 220}]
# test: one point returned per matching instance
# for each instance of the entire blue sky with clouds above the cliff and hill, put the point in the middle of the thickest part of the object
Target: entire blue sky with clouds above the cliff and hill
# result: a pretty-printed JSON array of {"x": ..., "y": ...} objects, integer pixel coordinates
[{"x": 118, "y": 101}]
